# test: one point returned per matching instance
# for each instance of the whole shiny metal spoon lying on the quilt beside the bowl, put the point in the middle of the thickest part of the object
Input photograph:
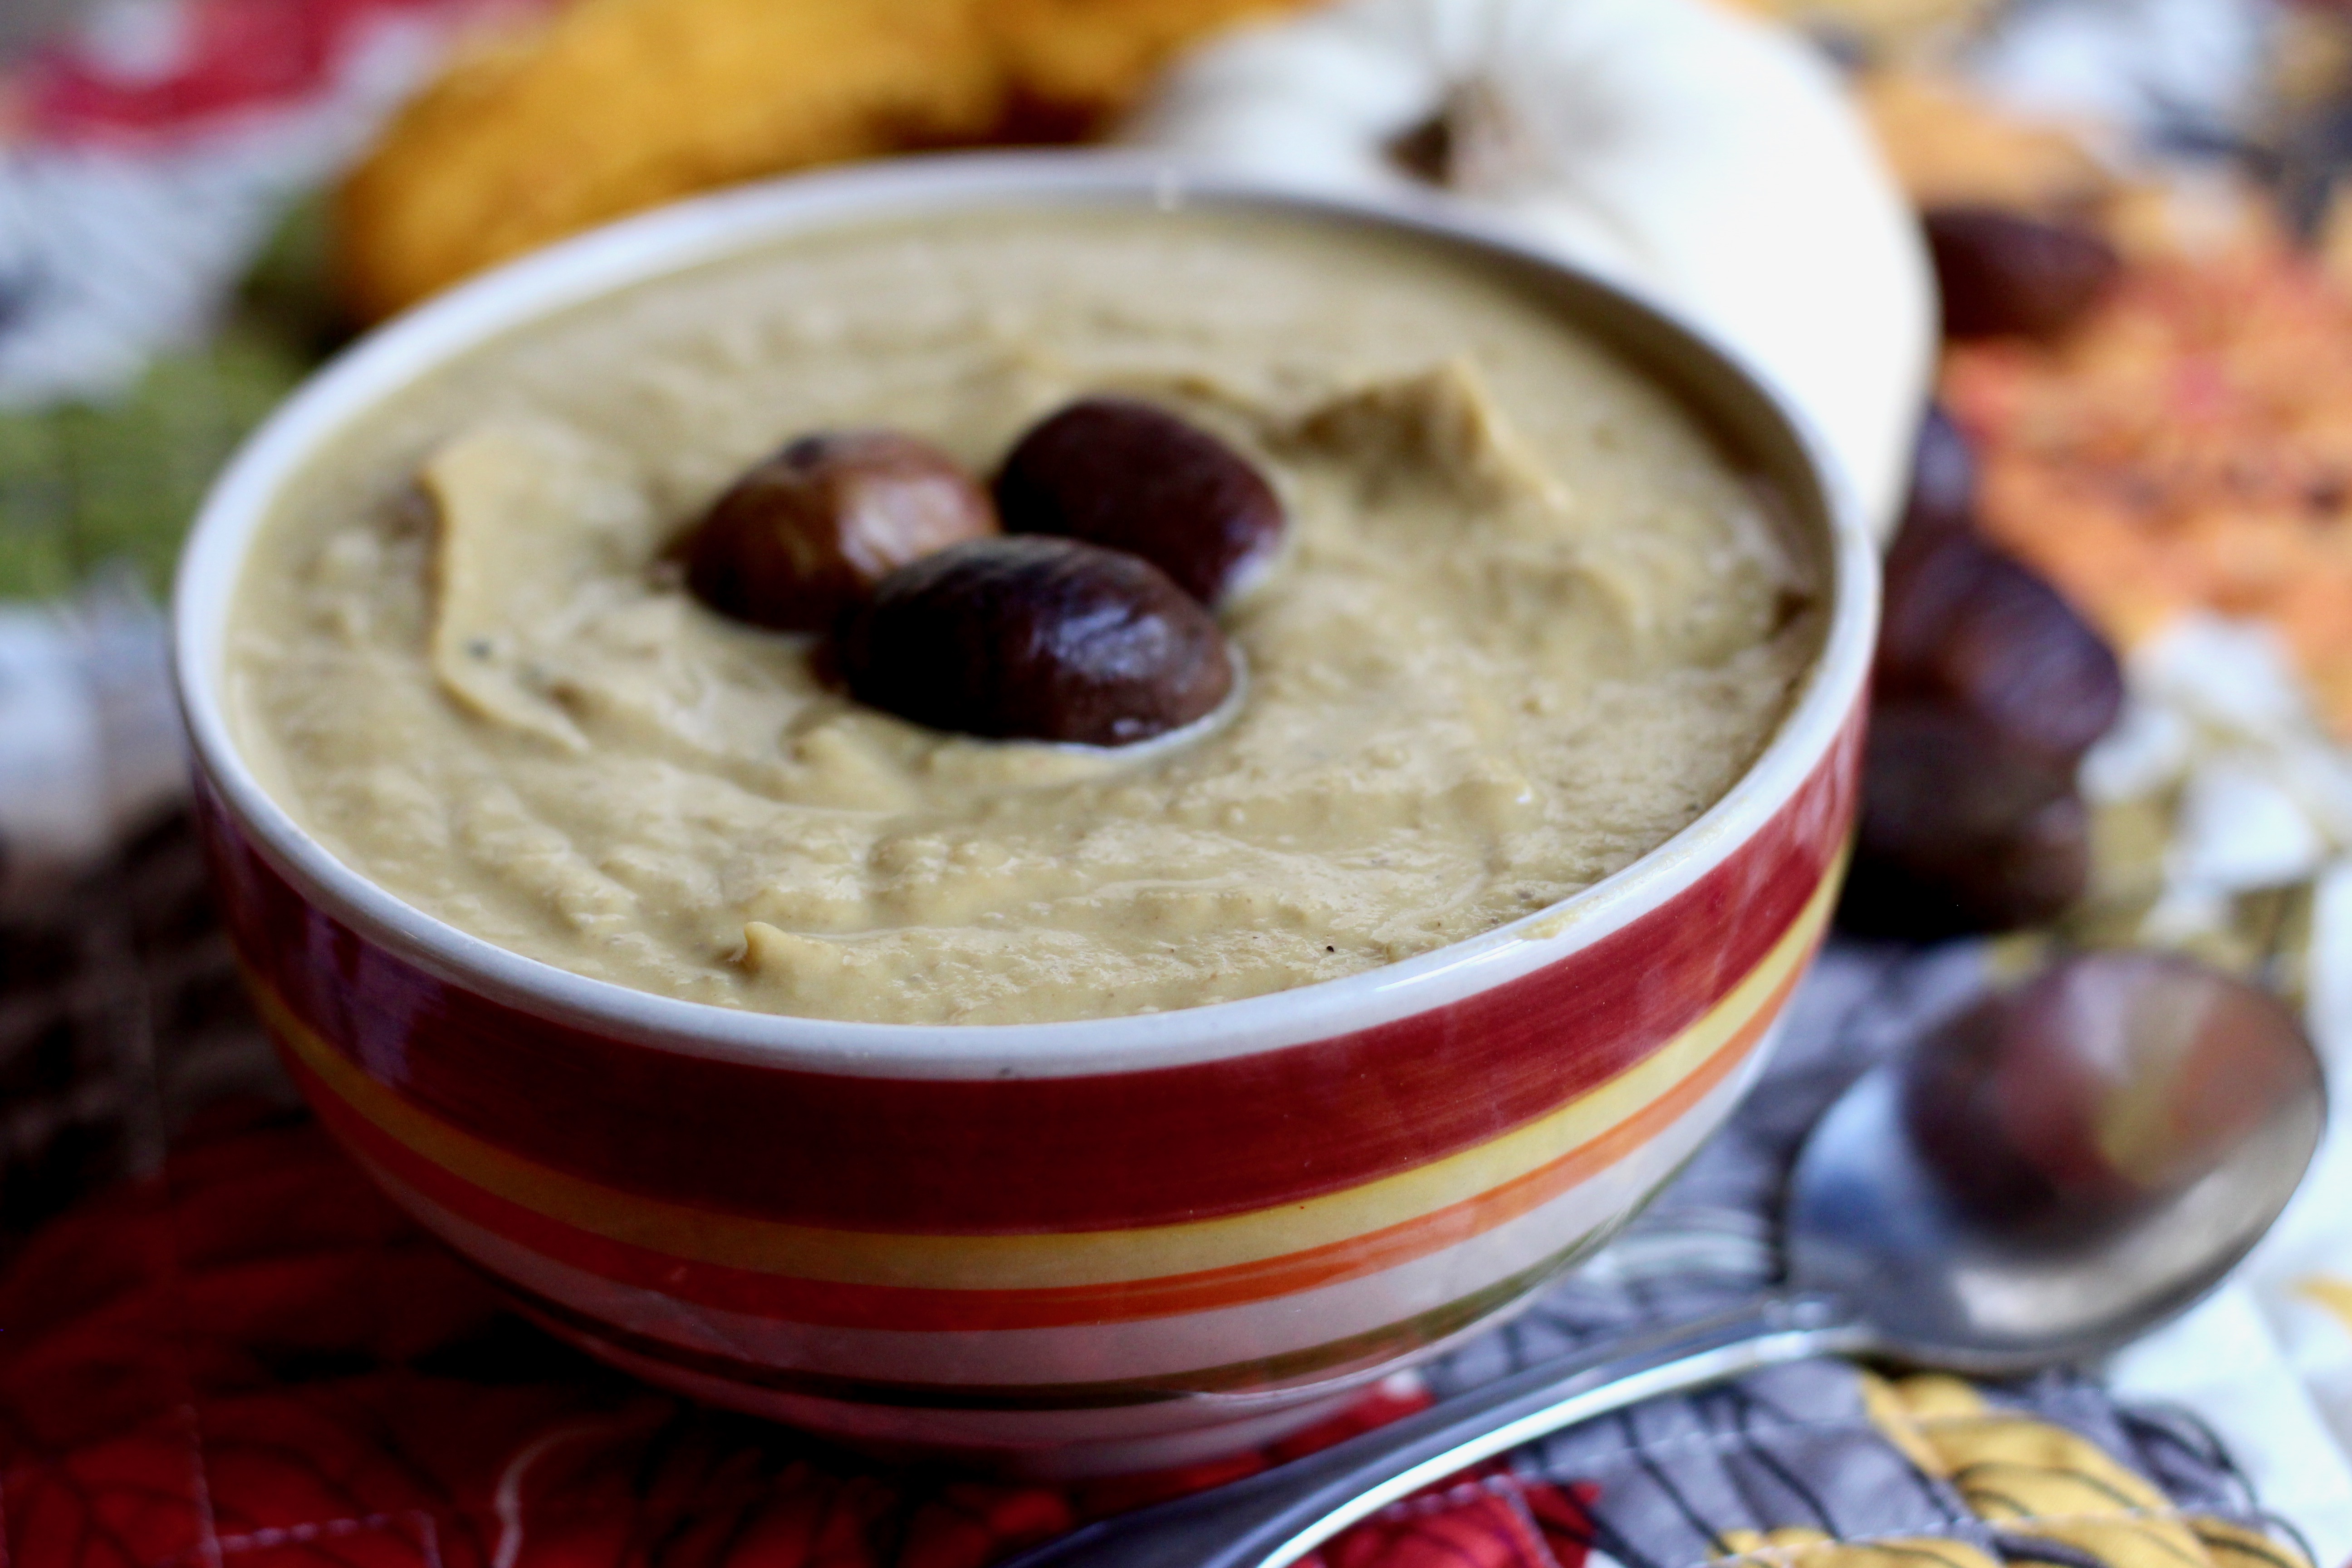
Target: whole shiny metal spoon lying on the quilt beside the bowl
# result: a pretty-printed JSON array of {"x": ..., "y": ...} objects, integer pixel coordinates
[{"x": 1890, "y": 1254}]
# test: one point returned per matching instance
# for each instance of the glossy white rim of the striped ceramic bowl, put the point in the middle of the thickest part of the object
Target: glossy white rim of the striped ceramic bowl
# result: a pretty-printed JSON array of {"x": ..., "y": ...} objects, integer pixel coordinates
[{"x": 719, "y": 227}]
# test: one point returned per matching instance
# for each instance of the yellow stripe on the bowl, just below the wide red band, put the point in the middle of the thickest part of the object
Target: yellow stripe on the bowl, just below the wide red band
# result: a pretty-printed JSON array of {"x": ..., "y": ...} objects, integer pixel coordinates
[{"x": 1048, "y": 1261}]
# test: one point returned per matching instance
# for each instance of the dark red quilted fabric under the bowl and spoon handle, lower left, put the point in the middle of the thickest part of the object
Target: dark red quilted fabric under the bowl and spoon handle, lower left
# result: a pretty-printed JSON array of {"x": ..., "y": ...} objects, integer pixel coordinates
[{"x": 255, "y": 1362}]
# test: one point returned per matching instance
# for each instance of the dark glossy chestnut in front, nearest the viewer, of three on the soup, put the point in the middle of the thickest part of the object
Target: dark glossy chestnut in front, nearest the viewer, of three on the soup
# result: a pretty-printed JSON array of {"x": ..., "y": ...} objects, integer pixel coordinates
[{"x": 1036, "y": 638}]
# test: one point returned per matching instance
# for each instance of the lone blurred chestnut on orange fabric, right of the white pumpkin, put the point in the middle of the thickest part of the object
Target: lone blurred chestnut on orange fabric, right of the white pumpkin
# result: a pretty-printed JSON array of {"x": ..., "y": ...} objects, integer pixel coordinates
[{"x": 2005, "y": 274}]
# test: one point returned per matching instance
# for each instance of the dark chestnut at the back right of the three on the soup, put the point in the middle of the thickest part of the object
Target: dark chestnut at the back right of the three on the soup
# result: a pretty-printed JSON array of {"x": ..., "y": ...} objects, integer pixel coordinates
[{"x": 1128, "y": 476}]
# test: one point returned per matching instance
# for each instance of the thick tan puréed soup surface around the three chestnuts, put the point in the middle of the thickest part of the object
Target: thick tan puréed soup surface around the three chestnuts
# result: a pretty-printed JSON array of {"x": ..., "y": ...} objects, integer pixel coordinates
[{"x": 1528, "y": 624}]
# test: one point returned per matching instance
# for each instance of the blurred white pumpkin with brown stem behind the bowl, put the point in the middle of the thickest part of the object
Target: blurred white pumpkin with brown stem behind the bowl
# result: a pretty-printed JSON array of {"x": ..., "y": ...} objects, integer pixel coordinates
[{"x": 1695, "y": 156}]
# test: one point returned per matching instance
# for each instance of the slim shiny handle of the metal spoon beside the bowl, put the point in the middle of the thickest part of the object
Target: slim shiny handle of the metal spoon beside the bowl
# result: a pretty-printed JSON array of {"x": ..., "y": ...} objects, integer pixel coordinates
[{"x": 1283, "y": 1513}]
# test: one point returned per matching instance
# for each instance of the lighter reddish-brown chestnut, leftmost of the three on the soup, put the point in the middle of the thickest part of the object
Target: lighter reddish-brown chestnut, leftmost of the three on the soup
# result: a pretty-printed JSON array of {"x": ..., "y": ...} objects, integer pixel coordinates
[{"x": 815, "y": 528}]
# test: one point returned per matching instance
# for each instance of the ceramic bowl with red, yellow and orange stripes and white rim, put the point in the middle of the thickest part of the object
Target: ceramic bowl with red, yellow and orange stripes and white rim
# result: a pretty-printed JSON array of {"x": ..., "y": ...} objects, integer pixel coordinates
[{"x": 1078, "y": 1245}]
